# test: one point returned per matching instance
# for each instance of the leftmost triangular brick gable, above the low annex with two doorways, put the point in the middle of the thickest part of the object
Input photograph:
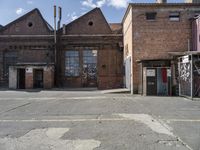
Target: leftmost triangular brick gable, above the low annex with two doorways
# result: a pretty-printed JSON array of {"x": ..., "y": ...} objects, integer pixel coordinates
[{"x": 31, "y": 23}]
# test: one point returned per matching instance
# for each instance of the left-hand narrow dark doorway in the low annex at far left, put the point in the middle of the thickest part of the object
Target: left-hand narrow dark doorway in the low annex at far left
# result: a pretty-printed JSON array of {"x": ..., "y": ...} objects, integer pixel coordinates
[{"x": 21, "y": 78}]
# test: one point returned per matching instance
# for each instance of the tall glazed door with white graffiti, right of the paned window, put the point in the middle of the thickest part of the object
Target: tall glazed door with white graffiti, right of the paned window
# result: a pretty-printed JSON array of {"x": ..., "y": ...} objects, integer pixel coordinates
[{"x": 89, "y": 68}]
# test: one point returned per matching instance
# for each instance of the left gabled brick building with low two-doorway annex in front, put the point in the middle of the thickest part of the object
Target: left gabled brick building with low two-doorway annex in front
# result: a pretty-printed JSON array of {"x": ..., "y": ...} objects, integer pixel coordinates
[{"x": 26, "y": 53}]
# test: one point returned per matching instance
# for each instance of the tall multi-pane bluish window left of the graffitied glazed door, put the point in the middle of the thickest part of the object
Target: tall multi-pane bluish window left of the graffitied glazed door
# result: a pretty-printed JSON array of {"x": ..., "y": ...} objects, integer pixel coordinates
[{"x": 72, "y": 64}]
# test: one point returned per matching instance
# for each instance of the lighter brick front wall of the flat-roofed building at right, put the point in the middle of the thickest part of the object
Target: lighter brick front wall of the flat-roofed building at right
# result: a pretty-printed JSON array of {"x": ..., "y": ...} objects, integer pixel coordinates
[{"x": 153, "y": 39}]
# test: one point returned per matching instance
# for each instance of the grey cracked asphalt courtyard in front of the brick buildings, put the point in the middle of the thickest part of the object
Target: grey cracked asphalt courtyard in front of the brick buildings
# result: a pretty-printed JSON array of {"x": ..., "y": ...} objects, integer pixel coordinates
[{"x": 91, "y": 120}]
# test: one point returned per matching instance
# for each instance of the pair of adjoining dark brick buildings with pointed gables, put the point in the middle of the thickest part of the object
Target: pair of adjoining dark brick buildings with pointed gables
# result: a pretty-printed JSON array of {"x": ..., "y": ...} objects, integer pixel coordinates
[{"x": 89, "y": 53}]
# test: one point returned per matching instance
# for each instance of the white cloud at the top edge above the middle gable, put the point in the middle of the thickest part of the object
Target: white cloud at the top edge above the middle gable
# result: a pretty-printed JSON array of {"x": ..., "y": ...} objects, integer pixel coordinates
[{"x": 101, "y": 3}]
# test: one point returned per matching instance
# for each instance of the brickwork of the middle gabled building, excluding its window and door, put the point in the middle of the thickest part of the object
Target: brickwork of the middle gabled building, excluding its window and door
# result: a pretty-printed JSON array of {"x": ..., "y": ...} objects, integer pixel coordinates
[{"x": 106, "y": 38}]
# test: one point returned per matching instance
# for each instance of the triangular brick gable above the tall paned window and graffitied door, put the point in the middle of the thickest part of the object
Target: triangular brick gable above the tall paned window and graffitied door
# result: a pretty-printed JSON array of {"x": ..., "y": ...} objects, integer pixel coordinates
[{"x": 92, "y": 22}]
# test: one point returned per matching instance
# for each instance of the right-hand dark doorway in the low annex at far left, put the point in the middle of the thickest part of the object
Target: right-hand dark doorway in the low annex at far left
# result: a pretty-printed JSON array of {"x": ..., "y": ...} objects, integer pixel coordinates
[{"x": 38, "y": 78}]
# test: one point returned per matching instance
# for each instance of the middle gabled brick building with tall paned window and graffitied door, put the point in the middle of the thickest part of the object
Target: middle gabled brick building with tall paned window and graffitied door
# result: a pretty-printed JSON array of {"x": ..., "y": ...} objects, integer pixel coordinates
[{"x": 90, "y": 53}]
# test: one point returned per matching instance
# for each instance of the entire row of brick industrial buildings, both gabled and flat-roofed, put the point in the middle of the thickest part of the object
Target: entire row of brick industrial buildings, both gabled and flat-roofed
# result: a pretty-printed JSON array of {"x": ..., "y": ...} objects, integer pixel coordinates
[{"x": 145, "y": 53}]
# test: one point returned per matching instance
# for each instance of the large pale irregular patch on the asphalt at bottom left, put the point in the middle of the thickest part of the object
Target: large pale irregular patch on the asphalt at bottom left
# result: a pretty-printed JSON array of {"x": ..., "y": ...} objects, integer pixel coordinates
[{"x": 47, "y": 139}]
